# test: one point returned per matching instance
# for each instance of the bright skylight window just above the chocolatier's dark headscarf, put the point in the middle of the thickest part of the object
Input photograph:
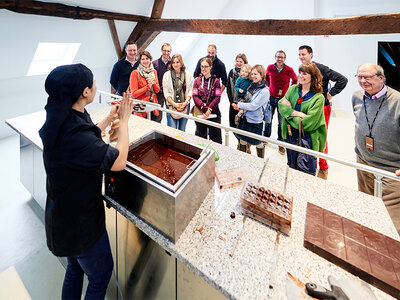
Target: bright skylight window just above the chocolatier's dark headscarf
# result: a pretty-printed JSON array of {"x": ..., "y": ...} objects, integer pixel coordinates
[{"x": 50, "y": 55}]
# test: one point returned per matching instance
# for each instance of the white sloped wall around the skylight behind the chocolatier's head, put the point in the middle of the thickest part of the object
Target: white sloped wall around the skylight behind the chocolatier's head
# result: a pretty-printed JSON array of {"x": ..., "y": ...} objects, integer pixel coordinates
[{"x": 20, "y": 35}]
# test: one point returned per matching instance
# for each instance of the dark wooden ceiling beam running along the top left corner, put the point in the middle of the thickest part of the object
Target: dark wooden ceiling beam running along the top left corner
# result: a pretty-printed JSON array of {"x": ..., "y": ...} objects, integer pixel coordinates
[{"x": 65, "y": 11}]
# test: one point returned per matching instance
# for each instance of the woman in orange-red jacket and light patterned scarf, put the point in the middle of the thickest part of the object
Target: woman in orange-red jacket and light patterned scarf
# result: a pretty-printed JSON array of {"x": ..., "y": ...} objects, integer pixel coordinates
[{"x": 144, "y": 83}]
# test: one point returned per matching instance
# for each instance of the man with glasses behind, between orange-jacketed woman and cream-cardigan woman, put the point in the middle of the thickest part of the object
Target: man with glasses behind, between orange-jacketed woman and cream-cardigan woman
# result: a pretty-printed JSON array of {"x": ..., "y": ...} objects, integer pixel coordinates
[{"x": 161, "y": 65}]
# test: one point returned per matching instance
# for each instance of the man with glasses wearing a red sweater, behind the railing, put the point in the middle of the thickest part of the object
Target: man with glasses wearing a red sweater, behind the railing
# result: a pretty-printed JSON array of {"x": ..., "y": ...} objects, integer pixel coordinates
[{"x": 278, "y": 76}]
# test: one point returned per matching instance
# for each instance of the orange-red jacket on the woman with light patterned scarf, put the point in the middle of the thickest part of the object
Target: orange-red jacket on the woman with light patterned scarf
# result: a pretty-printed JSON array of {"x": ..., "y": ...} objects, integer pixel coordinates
[{"x": 140, "y": 90}]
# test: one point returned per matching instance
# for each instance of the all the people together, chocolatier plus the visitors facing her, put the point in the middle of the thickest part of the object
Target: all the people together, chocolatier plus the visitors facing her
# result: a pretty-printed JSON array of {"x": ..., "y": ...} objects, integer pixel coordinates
[{"x": 75, "y": 155}]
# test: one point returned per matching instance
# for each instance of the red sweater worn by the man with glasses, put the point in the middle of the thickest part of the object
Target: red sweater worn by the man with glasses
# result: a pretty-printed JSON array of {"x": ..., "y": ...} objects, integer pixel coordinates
[{"x": 279, "y": 80}]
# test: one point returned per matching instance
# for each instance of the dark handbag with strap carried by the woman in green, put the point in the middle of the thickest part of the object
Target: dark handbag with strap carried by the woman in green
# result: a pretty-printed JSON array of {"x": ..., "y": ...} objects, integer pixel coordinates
[{"x": 300, "y": 161}]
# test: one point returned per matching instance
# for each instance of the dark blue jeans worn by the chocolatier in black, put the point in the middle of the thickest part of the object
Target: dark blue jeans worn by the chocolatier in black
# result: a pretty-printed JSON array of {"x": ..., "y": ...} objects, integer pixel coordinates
[{"x": 97, "y": 263}]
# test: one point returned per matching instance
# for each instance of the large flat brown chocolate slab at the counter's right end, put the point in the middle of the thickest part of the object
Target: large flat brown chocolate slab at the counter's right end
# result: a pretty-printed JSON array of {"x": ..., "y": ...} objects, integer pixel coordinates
[{"x": 362, "y": 251}]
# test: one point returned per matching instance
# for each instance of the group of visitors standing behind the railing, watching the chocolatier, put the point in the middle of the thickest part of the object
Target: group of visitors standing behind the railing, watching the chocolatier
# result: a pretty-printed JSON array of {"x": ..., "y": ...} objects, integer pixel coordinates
[{"x": 255, "y": 94}]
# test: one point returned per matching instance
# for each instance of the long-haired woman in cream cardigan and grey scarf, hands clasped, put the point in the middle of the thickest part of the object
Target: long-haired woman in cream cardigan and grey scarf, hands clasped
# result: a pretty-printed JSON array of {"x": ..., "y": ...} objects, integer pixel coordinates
[{"x": 177, "y": 88}]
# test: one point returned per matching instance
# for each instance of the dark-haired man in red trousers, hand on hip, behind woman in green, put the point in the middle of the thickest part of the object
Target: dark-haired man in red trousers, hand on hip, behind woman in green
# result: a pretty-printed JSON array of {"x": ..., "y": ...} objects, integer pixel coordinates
[{"x": 305, "y": 56}]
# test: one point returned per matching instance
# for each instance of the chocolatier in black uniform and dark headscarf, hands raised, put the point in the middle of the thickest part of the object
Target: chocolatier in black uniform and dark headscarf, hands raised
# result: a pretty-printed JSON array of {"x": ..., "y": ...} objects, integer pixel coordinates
[{"x": 75, "y": 157}]
